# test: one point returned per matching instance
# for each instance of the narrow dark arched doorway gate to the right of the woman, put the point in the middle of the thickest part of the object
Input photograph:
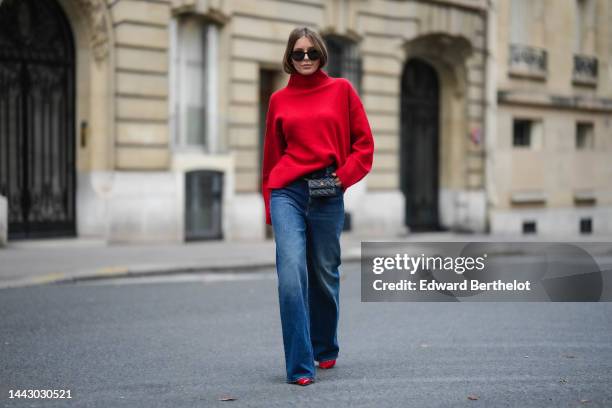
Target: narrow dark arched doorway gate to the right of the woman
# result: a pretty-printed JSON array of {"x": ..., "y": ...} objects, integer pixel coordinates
[{"x": 419, "y": 145}]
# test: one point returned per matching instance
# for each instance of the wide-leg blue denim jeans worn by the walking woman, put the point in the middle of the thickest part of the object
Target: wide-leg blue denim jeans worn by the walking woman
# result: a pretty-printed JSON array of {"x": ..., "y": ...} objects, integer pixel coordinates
[{"x": 307, "y": 234}]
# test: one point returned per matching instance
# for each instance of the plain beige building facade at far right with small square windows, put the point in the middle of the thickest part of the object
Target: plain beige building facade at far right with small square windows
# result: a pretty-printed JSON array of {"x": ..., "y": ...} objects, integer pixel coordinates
[{"x": 549, "y": 156}]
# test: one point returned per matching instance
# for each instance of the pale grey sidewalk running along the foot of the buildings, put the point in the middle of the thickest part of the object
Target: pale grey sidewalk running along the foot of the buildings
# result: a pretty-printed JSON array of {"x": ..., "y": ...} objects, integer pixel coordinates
[{"x": 26, "y": 263}]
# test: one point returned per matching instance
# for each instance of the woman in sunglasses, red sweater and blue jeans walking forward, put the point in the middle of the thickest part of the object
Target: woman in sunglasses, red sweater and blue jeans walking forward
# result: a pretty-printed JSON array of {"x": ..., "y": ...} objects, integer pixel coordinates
[{"x": 315, "y": 127}]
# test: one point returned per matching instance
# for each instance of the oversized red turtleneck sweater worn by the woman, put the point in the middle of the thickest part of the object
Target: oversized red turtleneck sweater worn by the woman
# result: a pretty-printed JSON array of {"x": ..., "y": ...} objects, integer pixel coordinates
[{"x": 314, "y": 121}]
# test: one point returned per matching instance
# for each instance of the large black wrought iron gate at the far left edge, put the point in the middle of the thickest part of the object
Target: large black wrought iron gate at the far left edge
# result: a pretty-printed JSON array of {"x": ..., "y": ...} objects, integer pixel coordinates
[{"x": 37, "y": 148}]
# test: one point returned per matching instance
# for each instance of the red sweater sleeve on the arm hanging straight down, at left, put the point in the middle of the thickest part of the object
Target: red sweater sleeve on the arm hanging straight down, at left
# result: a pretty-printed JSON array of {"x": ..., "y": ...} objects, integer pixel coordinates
[{"x": 274, "y": 147}]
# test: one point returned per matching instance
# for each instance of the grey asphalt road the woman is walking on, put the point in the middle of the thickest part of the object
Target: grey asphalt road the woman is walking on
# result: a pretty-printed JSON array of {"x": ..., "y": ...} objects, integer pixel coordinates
[{"x": 189, "y": 341}]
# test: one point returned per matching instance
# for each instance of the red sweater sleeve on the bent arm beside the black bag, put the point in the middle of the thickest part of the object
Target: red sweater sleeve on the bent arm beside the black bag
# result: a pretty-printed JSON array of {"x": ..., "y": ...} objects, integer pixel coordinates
[{"x": 359, "y": 160}]
